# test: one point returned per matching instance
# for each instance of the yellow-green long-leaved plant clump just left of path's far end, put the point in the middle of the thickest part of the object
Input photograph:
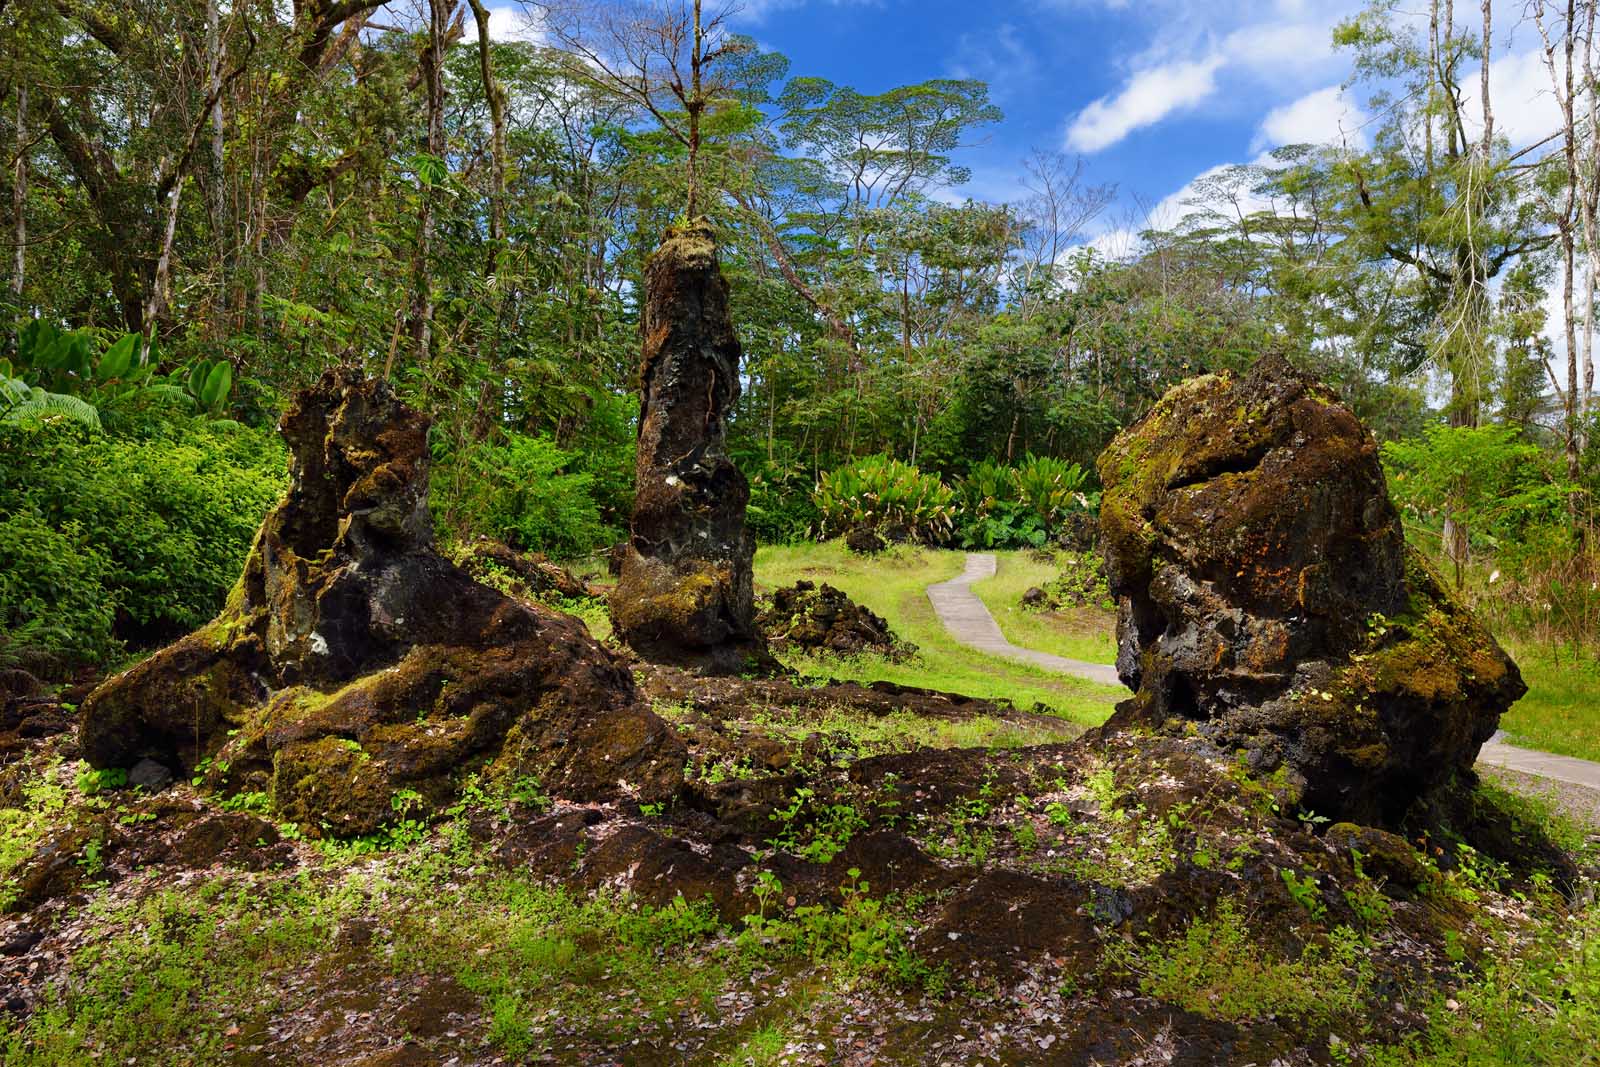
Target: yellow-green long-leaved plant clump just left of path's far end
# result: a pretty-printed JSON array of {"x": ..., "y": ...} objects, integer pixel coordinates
[{"x": 886, "y": 495}]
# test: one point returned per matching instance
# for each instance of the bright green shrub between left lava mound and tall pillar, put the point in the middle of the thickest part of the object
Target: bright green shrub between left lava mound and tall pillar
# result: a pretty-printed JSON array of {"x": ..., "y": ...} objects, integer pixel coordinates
[{"x": 524, "y": 492}]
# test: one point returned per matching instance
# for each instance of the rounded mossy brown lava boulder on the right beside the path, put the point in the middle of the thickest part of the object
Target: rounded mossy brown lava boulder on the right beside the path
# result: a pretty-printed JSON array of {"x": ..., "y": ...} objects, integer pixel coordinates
[{"x": 1266, "y": 594}]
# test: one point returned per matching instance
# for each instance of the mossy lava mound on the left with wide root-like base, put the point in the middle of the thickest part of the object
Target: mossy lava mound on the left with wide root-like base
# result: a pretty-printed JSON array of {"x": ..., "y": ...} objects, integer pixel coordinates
[{"x": 356, "y": 676}]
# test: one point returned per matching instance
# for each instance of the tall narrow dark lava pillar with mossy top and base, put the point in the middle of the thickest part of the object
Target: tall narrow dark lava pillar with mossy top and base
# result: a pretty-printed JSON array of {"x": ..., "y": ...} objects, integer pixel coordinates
[{"x": 686, "y": 596}]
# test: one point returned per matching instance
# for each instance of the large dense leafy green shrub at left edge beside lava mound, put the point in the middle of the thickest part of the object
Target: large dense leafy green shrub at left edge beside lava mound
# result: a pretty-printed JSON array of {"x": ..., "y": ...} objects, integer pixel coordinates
[{"x": 161, "y": 519}]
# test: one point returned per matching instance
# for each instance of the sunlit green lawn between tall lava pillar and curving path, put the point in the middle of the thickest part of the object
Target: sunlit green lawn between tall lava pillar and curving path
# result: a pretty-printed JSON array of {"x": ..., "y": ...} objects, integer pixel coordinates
[{"x": 895, "y": 586}]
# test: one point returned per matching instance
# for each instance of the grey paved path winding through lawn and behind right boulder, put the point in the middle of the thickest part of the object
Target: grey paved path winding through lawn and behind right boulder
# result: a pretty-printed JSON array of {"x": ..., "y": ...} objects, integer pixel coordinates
[{"x": 969, "y": 621}]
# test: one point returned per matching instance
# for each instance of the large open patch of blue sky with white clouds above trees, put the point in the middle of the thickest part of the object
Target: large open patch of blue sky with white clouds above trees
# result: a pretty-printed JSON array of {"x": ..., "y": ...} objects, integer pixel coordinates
[{"x": 1151, "y": 94}]
